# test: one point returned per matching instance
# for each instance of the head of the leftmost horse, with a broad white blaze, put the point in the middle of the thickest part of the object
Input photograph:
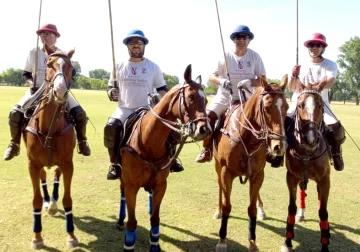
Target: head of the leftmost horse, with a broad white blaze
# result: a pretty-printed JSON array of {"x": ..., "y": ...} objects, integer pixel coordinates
[{"x": 59, "y": 75}]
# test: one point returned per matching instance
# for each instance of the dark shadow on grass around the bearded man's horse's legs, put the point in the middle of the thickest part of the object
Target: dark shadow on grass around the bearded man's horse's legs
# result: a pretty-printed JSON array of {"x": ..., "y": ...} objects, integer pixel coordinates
[{"x": 110, "y": 239}]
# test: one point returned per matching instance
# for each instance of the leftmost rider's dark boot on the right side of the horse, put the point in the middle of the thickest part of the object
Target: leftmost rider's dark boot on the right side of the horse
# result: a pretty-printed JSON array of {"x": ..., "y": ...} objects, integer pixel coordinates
[{"x": 80, "y": 119}]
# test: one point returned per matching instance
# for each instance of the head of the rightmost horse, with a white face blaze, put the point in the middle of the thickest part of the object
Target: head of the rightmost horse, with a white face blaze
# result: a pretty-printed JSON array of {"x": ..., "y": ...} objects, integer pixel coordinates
[{"x": 309, "y": 115}]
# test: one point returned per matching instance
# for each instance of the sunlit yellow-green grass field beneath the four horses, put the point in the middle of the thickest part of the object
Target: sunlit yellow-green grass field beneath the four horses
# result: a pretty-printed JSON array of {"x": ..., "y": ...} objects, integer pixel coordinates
[{"x": 189, "y": 203}]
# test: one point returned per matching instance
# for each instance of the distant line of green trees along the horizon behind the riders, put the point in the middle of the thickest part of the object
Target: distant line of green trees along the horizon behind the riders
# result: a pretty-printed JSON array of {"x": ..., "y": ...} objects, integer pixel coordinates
[{"x": 347, "y": 85}]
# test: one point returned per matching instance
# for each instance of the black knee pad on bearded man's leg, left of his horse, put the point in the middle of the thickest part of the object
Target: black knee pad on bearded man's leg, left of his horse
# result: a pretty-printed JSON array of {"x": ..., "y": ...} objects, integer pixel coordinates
[{"x": 113, "y": 132}]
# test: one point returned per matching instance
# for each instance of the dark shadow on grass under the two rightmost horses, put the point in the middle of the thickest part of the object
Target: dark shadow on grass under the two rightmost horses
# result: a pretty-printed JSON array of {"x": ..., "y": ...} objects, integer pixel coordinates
[{"x": 309, "y": 240}]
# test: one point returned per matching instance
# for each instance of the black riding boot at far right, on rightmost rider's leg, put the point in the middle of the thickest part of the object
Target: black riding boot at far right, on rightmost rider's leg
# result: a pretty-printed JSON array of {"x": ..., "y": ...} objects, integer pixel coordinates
[{"x": 336, "y": 136}]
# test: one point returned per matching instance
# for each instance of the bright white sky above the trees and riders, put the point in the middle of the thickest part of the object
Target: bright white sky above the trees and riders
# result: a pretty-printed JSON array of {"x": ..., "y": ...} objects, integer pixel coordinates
[{"x": 180, "y": 32}]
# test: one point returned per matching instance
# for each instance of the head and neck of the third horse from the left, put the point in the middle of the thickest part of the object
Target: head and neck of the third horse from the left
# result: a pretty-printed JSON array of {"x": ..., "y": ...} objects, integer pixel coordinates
[{"x": 267, "y": 109}]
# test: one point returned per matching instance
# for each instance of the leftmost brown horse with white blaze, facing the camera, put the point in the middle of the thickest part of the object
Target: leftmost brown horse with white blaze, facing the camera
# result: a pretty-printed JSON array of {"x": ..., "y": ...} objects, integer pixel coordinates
[{"x": 50, "y": 141}]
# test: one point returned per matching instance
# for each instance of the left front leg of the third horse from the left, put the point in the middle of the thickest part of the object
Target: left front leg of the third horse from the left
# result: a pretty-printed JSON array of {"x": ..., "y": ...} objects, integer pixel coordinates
[{"x": 226, "y": 182}]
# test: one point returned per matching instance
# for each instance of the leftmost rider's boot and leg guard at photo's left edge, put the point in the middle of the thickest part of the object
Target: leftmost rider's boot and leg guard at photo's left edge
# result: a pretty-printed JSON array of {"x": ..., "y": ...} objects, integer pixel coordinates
[{"x": 15, "y": 121}]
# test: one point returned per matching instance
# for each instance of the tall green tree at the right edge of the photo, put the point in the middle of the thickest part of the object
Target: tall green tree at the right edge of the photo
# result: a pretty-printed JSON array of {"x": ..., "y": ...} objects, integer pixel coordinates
[{"x": 349, "y": 61}]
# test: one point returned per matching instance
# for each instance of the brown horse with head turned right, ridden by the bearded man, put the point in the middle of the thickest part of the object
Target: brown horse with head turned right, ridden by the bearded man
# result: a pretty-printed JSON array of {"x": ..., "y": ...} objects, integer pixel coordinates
[{"x": 145, "y": 161}]
